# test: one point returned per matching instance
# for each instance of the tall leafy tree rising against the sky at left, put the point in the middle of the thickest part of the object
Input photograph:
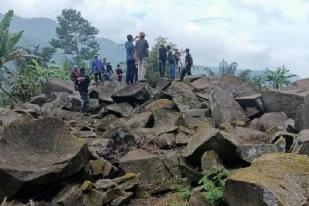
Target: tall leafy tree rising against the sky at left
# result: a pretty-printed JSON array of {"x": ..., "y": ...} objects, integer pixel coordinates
[{"x": 75, "y": 36}]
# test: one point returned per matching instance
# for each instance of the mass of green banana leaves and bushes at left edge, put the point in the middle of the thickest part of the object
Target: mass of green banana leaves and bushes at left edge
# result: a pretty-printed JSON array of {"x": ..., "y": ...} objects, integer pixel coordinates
[{"x": 29, "y": 75}]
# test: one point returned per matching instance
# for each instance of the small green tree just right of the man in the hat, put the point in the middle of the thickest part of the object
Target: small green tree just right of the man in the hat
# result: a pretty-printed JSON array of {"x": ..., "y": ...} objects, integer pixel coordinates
[{"x": 152, "y": 73}]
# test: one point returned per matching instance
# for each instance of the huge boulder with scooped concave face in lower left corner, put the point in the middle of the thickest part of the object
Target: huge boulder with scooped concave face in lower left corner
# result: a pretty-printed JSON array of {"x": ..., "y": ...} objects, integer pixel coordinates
[{"x": 38, "y": 153}]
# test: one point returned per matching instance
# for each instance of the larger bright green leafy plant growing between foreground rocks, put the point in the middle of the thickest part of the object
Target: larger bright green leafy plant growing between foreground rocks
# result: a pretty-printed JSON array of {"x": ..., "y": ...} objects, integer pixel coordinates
[{"x": 213, "y": 184}]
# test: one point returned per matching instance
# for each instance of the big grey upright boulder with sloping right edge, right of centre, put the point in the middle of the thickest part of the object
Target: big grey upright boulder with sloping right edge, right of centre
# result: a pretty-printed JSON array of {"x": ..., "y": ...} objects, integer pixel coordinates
[{"x": 225, "y": 109}]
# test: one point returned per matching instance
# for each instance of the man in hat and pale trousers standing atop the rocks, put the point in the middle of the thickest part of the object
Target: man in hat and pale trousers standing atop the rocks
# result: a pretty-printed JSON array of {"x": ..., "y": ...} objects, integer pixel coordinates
[{"x": 142, "y": 52}]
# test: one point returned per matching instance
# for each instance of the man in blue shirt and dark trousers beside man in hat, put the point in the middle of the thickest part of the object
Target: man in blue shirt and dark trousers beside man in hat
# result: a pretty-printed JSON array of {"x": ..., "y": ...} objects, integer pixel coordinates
[{"x": 130, "y": 51}]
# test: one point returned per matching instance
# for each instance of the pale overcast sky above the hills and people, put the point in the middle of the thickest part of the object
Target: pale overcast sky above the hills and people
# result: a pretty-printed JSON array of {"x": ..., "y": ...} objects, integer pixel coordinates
[{"x": 255, "y": 33}]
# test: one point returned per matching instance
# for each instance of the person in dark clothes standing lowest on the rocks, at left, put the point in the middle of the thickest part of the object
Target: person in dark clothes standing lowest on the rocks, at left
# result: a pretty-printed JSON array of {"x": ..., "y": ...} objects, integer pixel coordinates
[{"x": 83, "y": 82}]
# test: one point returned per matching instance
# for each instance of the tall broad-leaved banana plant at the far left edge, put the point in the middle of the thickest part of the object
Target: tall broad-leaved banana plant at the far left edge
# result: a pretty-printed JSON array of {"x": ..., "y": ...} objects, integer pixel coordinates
[{"x": 8, "y": 50}]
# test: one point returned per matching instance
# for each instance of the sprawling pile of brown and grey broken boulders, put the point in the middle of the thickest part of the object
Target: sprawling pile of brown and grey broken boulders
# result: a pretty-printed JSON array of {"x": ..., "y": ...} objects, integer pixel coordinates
[{"x": 135, "y": 143}]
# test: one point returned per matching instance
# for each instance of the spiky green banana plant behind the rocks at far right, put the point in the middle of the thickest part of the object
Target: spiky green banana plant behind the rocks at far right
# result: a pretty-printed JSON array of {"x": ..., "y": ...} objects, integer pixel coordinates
[{"x": 279, "y": 77}]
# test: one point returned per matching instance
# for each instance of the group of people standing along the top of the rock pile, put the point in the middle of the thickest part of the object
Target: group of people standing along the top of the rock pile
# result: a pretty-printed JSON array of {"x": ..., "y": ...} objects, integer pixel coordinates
[{"x": 137, "y": 52}]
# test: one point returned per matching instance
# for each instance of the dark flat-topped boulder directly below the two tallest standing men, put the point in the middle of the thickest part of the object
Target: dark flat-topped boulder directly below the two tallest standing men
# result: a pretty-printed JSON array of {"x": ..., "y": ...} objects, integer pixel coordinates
[{"x": 135, "y": 93}]
